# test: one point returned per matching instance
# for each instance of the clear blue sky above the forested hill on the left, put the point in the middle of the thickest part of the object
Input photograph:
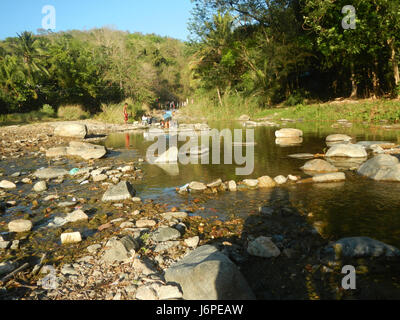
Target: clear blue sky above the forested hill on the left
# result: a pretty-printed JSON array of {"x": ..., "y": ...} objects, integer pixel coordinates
[{"x": 163, "y": 17}]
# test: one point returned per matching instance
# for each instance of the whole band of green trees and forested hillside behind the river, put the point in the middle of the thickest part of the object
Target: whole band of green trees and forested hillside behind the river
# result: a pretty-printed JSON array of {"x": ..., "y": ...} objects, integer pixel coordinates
[{"x": 258, "y": 52}]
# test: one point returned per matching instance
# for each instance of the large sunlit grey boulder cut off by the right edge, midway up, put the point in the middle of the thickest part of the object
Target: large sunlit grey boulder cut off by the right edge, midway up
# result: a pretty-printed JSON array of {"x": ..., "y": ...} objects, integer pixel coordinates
[{"x": 382, "y": 167}]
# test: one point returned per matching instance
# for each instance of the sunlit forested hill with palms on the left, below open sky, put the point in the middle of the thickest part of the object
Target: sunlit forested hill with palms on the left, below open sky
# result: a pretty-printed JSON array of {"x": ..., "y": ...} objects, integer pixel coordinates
[{"x": 90, "y": 68}]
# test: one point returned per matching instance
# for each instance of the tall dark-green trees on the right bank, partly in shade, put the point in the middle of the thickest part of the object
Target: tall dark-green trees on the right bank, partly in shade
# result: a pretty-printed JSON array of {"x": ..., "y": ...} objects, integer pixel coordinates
[{"x": 289, "y": 50}]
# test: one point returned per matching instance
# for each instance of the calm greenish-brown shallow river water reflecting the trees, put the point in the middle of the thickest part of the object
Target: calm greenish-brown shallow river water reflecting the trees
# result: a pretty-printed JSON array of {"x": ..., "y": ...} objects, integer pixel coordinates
[{"x": 357, "y": 207}]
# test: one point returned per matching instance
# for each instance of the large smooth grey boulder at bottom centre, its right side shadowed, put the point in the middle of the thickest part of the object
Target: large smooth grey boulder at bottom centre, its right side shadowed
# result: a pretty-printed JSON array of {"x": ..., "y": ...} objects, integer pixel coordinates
[{"x": 207, "y": 274}]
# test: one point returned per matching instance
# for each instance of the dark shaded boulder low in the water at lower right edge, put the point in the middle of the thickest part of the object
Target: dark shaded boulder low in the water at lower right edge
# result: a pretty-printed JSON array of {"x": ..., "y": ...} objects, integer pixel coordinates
[{"x": 360, "y": 247}]
